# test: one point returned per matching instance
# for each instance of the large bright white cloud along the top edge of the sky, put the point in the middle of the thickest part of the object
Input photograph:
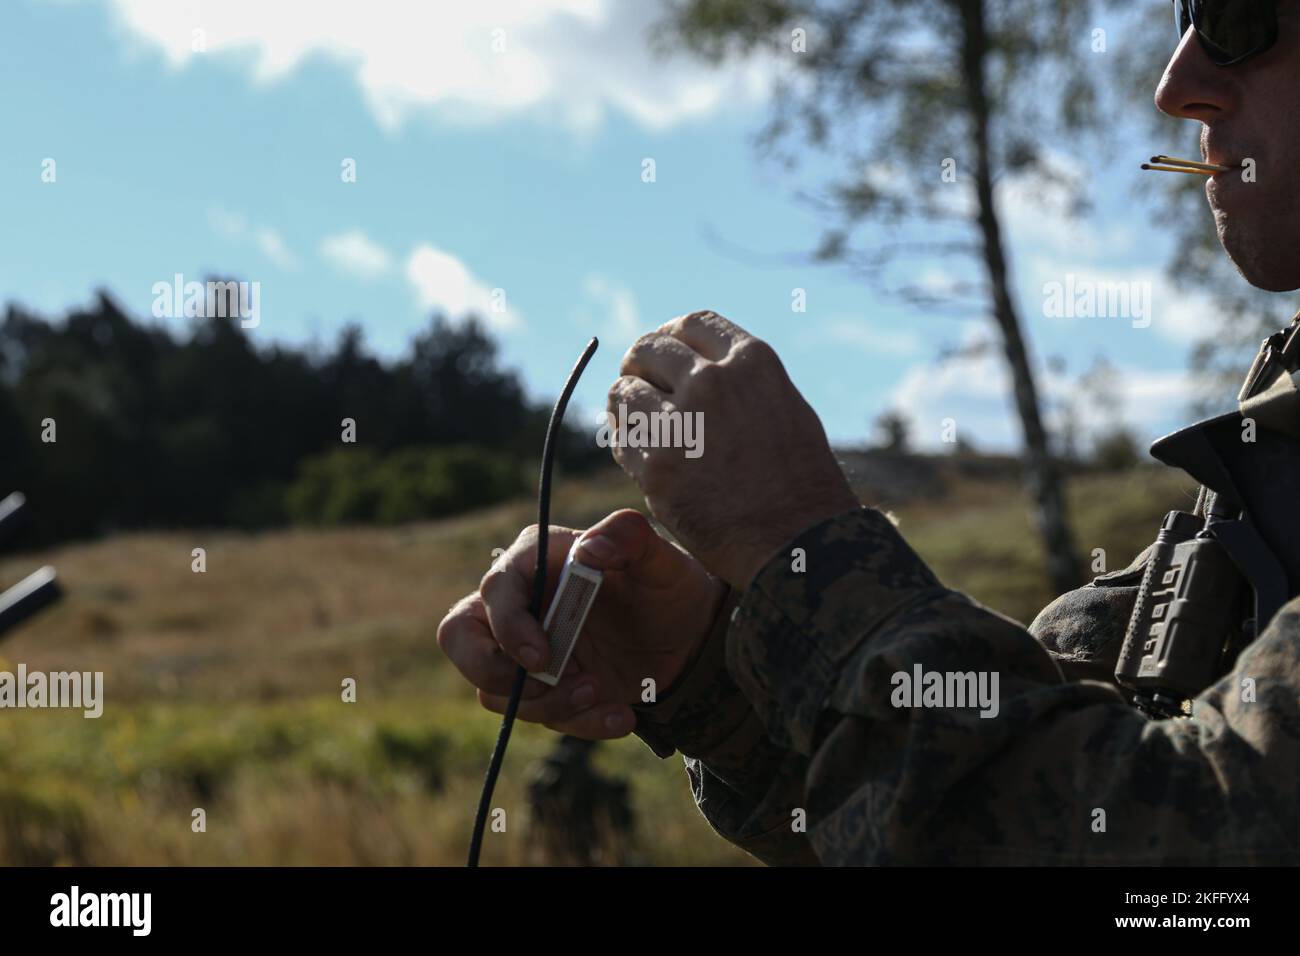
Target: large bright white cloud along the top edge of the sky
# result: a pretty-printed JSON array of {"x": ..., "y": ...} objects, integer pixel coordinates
[{"x": 575, "y": 60}]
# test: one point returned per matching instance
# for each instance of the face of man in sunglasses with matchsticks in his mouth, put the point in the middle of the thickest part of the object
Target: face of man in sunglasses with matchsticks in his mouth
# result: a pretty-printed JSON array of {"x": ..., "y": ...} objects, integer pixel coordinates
[{"x": 1250, "y": 111}]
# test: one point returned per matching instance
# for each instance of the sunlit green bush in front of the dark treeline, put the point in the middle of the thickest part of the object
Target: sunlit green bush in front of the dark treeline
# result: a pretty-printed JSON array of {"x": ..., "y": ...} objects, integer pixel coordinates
[{"x": 358, "y": 487}]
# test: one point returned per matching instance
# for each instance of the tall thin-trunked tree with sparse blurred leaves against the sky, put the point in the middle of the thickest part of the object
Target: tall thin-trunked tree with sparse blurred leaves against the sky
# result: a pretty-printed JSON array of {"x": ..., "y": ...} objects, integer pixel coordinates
[{"x": 902, "y": 93}]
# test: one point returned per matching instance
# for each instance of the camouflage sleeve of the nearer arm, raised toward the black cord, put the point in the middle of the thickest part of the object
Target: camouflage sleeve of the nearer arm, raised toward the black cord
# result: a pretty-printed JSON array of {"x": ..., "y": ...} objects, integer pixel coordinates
[{"x": 1064, "y": 773}]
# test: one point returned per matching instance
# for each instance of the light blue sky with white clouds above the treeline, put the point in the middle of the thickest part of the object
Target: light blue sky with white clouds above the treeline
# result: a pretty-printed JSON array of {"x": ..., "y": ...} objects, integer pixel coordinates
[{"x": 514, "y": 168}]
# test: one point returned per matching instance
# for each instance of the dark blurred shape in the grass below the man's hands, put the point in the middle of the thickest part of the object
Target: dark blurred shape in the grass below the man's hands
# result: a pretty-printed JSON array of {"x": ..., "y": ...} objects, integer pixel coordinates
[{"x": 580, "y": 816}]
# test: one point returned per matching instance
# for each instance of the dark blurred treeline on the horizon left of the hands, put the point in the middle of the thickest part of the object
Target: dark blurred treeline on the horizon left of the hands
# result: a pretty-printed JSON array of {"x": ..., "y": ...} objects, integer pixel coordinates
[{"x": 205, "y": 427}]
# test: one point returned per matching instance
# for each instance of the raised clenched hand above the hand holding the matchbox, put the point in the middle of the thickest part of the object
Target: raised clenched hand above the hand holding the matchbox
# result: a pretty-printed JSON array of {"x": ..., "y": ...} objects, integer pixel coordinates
[{"x": 762, "y": 474}]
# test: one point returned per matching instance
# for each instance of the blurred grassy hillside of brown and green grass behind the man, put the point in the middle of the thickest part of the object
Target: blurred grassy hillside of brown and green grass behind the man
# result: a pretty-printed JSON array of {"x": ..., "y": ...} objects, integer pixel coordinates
[{"x": 223, "y": 689}]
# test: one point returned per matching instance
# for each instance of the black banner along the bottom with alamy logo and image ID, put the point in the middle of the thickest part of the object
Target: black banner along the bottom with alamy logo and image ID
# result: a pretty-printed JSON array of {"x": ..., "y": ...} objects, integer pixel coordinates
[{"x": 535, "y": 905}]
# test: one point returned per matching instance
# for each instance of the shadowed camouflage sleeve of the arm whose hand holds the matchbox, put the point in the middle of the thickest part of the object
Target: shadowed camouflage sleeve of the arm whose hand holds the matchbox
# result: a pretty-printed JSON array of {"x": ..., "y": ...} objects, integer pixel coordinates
[{"x": 744, "y": 784}]
